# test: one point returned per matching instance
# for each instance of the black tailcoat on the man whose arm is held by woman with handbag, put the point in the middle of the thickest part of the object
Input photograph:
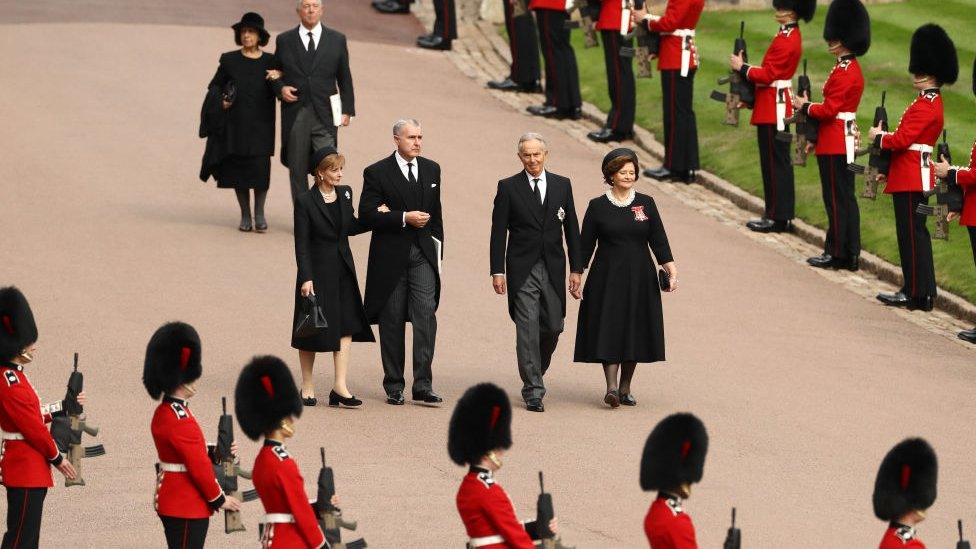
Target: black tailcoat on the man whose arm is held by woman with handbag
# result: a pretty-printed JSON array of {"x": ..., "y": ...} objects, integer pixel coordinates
[{"x": 389, "y": 246}]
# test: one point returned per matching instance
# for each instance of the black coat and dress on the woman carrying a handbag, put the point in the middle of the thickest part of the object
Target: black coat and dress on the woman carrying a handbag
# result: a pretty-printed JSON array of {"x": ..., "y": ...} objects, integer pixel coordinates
[{"x": 323, "y": 256}]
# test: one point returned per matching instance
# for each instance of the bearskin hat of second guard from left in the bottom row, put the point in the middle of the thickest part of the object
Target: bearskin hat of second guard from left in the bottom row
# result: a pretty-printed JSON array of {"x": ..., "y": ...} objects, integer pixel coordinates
[{"x": 172, "y": 359}]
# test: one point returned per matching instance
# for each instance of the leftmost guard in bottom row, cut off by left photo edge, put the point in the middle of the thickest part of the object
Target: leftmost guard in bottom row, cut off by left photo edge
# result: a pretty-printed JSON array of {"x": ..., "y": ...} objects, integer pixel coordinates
[{"x": 28, "y": 451}]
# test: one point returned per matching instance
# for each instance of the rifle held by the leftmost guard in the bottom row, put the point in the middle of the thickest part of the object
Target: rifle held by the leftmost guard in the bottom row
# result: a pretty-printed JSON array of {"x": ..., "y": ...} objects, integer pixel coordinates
[{"x": 68, "y": 431}]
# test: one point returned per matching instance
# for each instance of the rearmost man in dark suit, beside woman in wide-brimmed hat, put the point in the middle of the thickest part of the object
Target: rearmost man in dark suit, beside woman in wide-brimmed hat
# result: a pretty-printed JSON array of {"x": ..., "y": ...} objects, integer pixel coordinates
[{"x": 315, "y": 63}]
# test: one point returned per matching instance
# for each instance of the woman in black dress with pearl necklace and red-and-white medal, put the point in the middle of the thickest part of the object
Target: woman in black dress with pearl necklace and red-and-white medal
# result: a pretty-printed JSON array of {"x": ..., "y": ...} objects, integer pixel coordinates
[{"x": 620, "y": 318}]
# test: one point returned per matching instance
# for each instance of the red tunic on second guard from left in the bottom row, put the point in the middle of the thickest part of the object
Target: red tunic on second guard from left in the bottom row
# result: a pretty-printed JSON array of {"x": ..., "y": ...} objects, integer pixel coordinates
[{"x": 192, "y": 494}]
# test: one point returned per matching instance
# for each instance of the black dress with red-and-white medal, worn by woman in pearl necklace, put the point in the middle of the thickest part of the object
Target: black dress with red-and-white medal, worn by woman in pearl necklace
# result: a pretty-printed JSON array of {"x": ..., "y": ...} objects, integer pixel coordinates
[{"x": 620, "y": 318}]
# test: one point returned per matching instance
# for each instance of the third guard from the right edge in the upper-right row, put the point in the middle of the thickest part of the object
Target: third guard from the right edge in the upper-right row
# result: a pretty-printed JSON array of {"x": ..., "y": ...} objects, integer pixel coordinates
[{"x": 847, "y": 31}]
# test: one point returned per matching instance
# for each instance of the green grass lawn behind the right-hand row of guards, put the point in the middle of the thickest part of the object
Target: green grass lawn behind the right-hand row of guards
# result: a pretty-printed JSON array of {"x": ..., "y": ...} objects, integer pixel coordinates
[{"x": 732, "y": 154}]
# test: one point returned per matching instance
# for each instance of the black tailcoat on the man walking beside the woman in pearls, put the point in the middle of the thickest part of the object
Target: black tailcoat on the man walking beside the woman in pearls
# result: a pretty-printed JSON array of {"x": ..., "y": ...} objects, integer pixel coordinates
[{"x": 533, "y": 233}]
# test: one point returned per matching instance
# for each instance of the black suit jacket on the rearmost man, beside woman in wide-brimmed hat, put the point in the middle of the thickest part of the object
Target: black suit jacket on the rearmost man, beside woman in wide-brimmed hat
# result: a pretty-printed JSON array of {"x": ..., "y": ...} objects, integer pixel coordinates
[{"x": 317, "y": 81}]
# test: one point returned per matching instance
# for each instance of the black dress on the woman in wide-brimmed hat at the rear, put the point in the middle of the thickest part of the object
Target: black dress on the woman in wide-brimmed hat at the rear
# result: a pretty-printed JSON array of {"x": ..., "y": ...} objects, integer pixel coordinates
[{"x": 248, "y": 140}]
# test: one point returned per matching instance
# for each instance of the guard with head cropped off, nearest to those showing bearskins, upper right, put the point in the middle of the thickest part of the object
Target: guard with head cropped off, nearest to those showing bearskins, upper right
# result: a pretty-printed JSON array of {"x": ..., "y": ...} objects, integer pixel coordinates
[{"x": 678, "y": 63}]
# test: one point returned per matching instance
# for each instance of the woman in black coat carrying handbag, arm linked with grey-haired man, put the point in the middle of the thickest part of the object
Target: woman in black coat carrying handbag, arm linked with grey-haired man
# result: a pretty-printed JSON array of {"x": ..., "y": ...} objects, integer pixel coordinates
[{"x": 324, "y": 220}]
